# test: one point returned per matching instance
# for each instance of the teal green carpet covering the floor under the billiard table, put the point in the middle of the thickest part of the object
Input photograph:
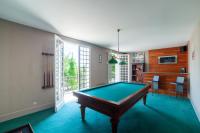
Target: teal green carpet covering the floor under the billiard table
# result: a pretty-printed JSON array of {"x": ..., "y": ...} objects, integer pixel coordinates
[{"x": 163, "y": 114}]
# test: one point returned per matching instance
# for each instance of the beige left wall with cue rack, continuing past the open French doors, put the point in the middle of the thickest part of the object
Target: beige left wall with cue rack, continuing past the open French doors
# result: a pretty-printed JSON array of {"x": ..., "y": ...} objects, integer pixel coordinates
[{"x": 21, "y": 69}]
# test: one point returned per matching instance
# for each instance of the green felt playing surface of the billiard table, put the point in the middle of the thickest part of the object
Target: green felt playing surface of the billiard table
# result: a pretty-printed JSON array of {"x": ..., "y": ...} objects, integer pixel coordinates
[{"x": 114, "y": 92}]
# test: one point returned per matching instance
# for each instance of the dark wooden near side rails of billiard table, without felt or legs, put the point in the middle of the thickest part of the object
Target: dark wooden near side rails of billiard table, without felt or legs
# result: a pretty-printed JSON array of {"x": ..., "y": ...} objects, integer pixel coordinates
[{"x": 108, "y": 107}]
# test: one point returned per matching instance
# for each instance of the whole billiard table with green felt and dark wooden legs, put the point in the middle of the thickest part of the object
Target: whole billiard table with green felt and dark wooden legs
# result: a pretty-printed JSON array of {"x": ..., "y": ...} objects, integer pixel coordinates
[{"x": 112, "y": 99}]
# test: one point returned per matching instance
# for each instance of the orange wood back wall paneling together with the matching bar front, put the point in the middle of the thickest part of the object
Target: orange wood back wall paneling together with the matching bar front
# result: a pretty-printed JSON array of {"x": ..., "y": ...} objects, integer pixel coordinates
[{"x": 167, "y": 72}]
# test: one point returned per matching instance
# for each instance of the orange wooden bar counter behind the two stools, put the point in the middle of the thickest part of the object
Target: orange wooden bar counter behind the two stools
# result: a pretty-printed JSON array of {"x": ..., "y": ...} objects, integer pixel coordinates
[{"x": 164, "y": 83}]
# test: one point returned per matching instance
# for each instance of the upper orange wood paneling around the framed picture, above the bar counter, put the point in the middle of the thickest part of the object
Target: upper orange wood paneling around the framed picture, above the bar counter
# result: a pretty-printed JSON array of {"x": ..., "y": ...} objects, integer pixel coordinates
[{"x": 182, "y": 58}]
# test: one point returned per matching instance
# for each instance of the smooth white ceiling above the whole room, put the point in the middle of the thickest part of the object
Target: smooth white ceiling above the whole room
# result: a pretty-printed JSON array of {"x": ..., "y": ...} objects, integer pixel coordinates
[{"x": 145, "y": 24}]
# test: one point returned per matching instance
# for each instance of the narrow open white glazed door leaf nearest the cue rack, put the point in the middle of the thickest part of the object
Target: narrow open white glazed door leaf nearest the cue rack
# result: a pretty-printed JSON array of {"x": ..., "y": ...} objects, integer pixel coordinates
[{"x": 59, "y": 73}]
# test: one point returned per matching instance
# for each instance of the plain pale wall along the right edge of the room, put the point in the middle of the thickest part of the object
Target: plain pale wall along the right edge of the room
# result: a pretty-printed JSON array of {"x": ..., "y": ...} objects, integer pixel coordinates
[{"x": 194, "y": 66}]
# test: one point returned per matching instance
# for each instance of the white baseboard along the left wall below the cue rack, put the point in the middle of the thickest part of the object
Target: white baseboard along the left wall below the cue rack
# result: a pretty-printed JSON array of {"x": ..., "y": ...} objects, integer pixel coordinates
[{"x": 25, "y": 111}]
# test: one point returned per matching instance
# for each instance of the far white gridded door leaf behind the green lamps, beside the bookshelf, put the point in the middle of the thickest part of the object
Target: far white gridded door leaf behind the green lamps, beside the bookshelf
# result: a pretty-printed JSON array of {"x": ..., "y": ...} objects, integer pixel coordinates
[{"x": 124, "y": 69}]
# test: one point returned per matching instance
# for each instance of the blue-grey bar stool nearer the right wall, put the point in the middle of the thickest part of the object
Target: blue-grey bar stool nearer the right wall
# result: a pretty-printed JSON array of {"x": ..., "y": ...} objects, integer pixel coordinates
[{"x": 179, "y": 84}]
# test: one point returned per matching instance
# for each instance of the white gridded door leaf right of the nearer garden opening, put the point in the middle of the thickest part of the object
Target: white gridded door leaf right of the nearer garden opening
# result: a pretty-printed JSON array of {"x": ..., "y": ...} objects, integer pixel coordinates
[{"x": 84, "y": 67}]
